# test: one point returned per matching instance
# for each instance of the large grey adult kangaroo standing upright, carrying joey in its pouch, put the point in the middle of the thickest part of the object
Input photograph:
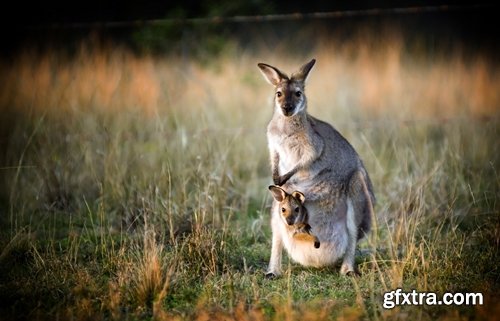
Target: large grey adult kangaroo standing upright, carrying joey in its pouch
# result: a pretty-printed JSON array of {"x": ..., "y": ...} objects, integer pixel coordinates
[{"x": 309, "y": 155}]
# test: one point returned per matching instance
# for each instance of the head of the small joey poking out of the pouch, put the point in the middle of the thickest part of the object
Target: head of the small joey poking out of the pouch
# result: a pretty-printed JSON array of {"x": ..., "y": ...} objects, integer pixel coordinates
[{"x": 291, "y": 208}]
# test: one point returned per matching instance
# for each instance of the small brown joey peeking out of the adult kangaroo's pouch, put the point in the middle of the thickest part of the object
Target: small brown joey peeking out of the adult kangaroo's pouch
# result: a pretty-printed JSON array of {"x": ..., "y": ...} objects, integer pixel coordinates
[{"x": 294, "y": 214}]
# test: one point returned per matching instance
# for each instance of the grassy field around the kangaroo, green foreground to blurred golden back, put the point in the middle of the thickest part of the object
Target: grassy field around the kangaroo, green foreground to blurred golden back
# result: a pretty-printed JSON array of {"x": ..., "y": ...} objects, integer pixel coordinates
[{"x": 135, "y": 187}]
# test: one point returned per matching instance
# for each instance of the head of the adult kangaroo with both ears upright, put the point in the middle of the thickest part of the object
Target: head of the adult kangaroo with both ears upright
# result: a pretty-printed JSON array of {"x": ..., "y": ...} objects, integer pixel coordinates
[{"x": 289, "y": 91}]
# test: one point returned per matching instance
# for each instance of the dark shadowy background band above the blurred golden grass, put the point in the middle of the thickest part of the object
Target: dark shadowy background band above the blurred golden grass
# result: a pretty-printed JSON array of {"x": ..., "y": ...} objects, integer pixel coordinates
[{"x": 64, "y": 25}]
